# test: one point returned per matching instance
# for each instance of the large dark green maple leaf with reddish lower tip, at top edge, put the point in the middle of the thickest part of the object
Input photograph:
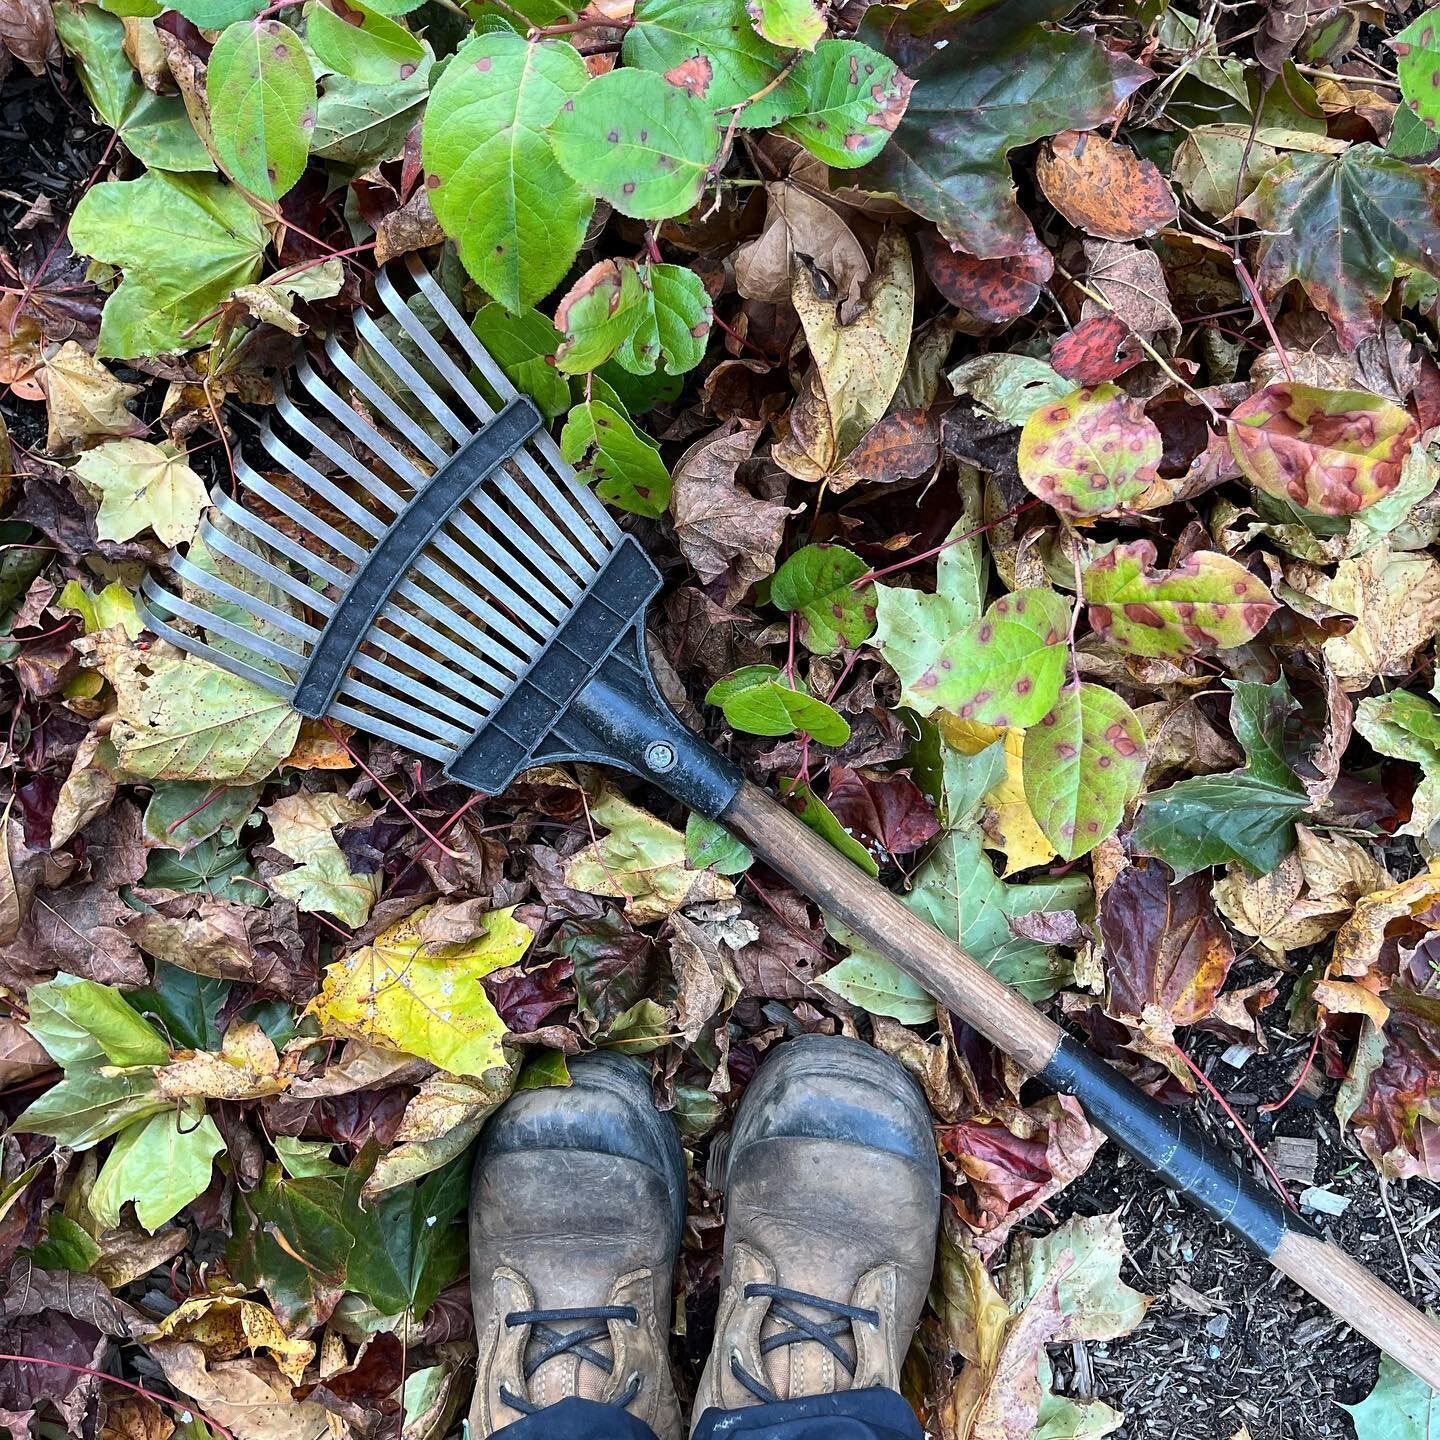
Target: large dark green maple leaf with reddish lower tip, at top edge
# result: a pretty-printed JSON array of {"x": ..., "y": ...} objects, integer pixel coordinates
[{"x": 1014, "y": 78}]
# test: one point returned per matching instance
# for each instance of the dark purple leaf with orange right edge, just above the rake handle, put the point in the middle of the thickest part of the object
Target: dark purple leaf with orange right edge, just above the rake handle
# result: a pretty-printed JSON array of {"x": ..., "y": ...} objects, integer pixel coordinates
[{"x": 1166, "y": 948}]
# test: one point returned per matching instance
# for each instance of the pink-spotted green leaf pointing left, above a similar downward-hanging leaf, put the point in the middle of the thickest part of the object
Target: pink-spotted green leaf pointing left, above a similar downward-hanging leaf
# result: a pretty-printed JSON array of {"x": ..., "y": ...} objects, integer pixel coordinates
[{"x": 1006, "y": 667}]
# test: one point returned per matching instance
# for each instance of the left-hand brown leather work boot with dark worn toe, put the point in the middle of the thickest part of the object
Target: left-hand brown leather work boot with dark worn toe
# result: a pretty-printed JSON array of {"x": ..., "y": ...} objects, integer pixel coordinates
[{"x": 577, "y": 1210}]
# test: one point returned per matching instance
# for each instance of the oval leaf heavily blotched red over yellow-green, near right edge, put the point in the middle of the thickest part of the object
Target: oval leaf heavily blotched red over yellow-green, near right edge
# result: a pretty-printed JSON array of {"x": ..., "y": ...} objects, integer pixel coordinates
[{"x": 1328, "y": 451}]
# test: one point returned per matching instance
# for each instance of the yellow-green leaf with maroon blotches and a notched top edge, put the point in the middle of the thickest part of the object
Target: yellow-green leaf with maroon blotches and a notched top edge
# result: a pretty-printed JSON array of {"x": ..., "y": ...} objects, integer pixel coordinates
[{"x": 1207, "y": 603}]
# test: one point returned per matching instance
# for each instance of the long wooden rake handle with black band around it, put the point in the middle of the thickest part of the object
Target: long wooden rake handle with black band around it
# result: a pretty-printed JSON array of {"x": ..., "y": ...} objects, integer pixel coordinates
[{"x": 1154, "y": 1134}]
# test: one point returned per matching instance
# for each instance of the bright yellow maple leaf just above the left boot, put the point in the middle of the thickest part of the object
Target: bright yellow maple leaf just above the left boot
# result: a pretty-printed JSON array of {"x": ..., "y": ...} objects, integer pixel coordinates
[{"x": 424, "y": 1000}]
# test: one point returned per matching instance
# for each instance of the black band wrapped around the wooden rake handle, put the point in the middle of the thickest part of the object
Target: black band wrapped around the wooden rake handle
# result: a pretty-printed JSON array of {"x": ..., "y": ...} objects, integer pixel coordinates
[{"x": 1167, "y": 1144}]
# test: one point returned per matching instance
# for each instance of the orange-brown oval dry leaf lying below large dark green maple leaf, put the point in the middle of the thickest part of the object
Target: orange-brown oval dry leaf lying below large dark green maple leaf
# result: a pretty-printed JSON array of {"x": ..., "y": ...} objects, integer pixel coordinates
[{"x": 1104, "y": 188}]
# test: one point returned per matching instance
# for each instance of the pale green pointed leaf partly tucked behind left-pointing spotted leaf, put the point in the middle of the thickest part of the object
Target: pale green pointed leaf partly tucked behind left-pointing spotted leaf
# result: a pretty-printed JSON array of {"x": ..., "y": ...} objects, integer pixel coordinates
[{"x": 912, "y": 627}]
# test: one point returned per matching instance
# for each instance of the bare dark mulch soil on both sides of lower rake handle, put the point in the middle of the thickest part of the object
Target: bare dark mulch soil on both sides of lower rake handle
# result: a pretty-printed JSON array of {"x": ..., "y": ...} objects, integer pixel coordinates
[{"x": 1229, "y": 1341}]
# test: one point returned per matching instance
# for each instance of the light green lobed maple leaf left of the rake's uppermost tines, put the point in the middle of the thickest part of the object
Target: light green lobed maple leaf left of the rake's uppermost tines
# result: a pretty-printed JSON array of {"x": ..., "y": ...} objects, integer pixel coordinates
[{"x": 185, "y": 243}]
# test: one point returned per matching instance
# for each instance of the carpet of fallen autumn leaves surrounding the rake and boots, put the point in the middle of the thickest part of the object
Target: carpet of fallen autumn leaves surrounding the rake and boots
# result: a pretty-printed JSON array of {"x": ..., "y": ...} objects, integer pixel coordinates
[{"x": 1048, "y": 509}]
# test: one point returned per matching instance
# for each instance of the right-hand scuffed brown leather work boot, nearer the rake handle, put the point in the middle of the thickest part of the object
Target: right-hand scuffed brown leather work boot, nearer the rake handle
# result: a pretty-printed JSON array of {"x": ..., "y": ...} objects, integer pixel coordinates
[{"x": 833, "y": 1200}]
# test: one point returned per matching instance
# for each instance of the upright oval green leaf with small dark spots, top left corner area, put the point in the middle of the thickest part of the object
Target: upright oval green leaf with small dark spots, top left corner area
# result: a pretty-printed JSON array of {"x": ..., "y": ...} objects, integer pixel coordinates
[{"x": 263, "y": 106}]
